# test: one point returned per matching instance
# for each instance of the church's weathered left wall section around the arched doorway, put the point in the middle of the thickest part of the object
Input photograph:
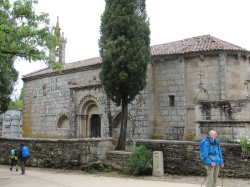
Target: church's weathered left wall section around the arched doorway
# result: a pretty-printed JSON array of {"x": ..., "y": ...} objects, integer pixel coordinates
[{"x": 47, "y": 99}]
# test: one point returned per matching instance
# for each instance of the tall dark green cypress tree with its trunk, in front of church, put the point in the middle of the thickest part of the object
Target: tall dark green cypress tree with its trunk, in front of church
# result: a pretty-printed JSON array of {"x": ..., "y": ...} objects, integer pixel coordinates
[{"x": 125, "y": 50}]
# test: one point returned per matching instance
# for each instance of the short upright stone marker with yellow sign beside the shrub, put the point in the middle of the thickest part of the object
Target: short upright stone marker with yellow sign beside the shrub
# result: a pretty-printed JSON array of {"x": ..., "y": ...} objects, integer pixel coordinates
[{"x": 158, "y": 169}]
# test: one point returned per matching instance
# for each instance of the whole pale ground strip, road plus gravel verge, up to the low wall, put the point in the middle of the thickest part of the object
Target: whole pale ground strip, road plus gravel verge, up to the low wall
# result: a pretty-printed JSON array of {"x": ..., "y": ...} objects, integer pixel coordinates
[{"x": 39, "y": 177}]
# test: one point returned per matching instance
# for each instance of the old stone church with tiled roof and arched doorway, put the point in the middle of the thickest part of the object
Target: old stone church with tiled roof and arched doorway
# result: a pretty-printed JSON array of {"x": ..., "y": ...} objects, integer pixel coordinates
[{"x": 73, "y": 104}]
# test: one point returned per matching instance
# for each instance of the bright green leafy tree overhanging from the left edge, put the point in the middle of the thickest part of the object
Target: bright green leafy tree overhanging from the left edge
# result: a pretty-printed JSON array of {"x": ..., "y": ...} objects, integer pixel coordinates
[{"x": 23, "y": 34}]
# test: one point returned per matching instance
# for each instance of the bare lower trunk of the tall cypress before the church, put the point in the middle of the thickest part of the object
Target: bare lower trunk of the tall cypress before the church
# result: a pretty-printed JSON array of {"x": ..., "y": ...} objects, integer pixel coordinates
[{"x": 123, "y": 131}]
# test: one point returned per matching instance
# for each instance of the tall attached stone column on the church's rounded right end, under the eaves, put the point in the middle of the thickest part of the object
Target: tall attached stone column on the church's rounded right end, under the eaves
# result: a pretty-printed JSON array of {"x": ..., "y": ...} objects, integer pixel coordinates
[{"x": 222, "y": 75}]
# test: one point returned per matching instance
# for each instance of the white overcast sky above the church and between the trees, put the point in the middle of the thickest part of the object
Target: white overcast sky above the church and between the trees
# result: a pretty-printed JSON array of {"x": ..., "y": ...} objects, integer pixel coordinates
[{"x": 170, "y": 20}]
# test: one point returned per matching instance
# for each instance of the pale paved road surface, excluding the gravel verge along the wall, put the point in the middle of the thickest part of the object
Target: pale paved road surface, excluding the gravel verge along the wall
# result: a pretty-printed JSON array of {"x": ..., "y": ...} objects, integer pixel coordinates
[{"x": 46, "y": 178}]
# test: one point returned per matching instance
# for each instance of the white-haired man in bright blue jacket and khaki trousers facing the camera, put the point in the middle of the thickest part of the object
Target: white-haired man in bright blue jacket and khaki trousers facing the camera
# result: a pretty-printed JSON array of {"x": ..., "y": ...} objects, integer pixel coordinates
[{"x": 212, "y": 158}]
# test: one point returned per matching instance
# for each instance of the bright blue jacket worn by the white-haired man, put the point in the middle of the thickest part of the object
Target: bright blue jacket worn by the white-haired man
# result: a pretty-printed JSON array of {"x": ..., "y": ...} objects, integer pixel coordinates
[{"x": 212, "y": 152}]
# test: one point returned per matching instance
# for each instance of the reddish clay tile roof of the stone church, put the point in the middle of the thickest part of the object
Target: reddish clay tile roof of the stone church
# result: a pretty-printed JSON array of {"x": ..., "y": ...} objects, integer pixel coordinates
[{"x": 203, "y": 43}]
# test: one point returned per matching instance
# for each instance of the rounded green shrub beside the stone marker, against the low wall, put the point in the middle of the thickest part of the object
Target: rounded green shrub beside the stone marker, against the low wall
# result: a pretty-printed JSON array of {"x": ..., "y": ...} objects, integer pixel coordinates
[{"x": 141, "y": 161}]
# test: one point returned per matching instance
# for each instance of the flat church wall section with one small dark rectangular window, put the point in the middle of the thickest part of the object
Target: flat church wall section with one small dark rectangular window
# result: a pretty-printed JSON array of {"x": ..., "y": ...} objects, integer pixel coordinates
[{"x": 169, "y": 80}]
